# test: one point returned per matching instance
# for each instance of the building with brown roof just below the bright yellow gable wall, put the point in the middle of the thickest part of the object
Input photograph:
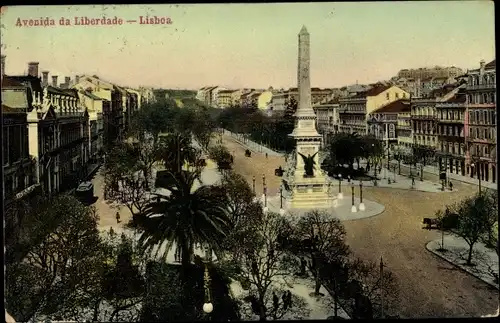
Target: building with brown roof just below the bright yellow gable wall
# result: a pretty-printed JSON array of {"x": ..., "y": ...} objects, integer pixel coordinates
[{"x": 383, "y": 122}]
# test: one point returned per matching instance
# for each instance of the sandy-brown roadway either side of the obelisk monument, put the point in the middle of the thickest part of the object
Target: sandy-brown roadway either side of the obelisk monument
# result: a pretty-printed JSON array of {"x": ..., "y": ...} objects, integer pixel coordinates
[{"x": 398, "y": 236}]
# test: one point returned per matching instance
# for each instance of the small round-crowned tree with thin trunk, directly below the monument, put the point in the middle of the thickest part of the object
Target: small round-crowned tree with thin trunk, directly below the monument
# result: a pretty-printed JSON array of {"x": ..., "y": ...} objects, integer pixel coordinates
[{"x": 321, "y": 239}]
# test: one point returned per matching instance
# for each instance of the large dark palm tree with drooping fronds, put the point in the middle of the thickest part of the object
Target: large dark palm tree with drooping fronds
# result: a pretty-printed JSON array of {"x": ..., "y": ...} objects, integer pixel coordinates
[{"x": 188, "y": 216}]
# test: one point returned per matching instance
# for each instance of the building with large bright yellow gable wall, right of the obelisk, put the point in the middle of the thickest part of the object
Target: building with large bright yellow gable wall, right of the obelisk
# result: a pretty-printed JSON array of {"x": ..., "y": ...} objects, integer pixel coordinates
[{"x": 355, "y": 109}]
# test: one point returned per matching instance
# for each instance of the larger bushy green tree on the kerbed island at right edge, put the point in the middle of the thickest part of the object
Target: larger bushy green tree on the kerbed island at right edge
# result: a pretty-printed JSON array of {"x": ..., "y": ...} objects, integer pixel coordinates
[{"x": 475, "y": 217}]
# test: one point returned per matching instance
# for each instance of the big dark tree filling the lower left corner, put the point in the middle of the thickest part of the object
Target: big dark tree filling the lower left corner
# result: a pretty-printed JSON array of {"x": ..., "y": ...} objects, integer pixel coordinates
[{"x": 59, "y": 267}]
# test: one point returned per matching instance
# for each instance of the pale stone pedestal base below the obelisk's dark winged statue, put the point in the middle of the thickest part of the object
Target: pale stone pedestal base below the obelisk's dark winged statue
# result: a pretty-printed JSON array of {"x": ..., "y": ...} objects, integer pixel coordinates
[{"x": 310, "y": 192}]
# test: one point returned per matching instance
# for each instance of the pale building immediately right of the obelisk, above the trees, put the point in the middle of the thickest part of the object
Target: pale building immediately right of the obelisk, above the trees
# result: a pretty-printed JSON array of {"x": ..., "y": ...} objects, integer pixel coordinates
[{"x": 327, "y": 117}]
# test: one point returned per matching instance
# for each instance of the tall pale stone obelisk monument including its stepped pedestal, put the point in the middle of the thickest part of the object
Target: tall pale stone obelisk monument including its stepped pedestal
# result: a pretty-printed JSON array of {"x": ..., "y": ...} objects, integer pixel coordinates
[{"x": 308, "y": 191}]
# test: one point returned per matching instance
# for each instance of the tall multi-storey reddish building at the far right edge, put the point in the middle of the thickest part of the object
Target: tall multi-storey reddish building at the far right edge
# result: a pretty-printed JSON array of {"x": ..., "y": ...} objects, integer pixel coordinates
[{"x": 480, "y": 127}]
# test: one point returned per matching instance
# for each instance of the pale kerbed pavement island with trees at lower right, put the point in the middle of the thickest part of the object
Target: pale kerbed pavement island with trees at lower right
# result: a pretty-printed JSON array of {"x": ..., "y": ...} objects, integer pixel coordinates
[{"x": 456, "y": 252}]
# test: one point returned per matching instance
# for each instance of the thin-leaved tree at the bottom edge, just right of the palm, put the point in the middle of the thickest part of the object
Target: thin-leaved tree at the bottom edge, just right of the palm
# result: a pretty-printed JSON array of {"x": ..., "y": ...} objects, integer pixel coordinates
[{"x": 265, "y": 266}]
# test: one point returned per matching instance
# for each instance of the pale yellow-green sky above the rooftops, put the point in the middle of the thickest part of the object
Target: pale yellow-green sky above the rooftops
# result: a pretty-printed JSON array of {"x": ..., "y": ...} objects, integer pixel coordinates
[{"x": 252, "y": 45}]
